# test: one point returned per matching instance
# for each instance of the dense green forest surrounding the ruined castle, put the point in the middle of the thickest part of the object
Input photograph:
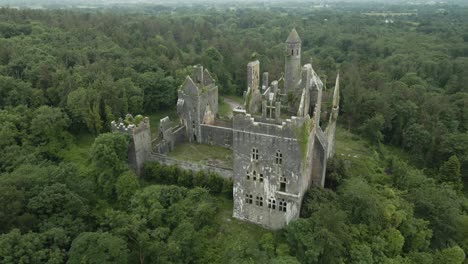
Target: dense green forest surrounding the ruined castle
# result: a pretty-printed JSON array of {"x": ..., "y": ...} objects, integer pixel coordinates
[{"x": 67, "y": 195}]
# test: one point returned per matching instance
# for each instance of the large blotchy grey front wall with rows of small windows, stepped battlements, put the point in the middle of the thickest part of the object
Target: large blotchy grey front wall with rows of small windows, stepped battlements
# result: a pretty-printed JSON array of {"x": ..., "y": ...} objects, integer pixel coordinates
[{"x": 265, "y": 178}]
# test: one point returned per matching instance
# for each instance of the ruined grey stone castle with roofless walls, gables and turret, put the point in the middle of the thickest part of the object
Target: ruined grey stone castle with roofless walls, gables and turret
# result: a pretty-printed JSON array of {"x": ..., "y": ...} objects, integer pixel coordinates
[{"x": 279, "y": 148}]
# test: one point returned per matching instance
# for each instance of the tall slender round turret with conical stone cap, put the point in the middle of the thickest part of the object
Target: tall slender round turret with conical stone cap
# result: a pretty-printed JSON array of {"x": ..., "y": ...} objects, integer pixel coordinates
[{"x": 293, "y": 61}]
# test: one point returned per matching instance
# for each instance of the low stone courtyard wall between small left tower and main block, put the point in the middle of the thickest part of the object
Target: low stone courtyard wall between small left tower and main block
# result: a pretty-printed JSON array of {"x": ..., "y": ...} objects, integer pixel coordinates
[{"x": 223, "y": 172}]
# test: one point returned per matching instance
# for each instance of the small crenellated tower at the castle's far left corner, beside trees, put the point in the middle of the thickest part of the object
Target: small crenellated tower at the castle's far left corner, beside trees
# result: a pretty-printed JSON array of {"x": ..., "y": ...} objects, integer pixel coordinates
[{"x": 139, "y": 148}]
